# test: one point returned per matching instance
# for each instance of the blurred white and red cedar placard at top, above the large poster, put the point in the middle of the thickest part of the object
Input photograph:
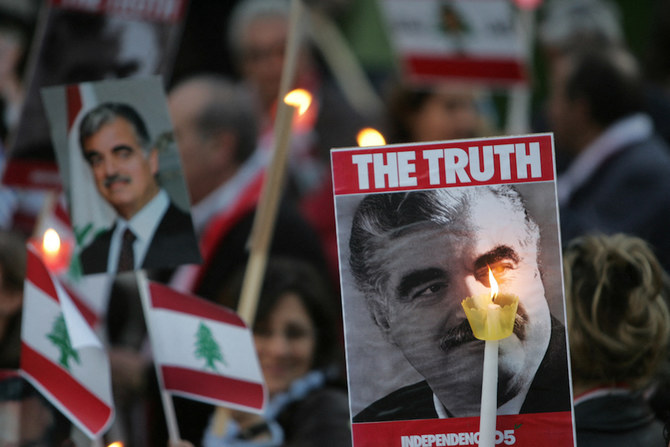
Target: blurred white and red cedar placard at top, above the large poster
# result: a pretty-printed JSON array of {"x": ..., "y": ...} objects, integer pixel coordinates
[{"x": 474, "y": 41}]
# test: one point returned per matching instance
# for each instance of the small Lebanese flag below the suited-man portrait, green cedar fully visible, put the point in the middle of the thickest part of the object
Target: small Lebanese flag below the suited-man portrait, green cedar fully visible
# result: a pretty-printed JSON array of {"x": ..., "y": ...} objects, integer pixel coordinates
[{"x": 204, "y": 351}]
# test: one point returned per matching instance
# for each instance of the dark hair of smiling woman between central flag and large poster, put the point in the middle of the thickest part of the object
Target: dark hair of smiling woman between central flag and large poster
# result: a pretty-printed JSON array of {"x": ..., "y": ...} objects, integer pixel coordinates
[{"x": 288, "y": 275}]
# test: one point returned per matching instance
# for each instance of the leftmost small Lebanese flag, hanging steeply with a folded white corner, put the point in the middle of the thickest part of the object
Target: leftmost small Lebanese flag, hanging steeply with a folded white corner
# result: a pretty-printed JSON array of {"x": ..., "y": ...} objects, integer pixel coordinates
[{"x": 60, "y": 354}]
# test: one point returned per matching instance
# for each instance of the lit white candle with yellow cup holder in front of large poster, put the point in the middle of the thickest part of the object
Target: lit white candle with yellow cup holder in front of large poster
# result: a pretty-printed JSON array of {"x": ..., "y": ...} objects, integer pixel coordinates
[{"x": 491, "y": 318}]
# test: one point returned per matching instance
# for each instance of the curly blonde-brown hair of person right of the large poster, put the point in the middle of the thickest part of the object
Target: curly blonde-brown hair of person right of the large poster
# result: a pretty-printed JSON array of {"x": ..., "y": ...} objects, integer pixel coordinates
[{"x": 618, "y": 322}]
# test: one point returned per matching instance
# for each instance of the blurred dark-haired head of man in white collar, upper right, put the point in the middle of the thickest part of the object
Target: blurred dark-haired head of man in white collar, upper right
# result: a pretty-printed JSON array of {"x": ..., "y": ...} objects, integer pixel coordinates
[{"x": 608, "y": 79}]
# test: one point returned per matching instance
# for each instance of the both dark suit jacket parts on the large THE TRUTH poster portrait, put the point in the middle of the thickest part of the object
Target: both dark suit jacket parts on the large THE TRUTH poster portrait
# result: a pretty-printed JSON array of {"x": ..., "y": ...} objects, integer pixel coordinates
[{"x": 549, "y": 391}]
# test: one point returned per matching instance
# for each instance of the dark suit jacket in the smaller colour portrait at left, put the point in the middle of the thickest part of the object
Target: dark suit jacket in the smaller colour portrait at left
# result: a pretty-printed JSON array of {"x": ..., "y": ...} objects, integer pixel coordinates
[{"x": 172, "y": 244}]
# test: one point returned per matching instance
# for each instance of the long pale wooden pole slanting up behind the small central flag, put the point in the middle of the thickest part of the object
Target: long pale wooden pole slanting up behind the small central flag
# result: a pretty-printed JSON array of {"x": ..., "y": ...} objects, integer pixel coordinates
[{"x": 263, "y": 226}]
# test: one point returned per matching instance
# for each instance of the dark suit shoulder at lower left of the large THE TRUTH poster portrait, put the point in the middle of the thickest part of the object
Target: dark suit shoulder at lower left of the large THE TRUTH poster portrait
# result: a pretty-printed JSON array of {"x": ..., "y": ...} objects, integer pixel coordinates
[{"x": 410, "y": 402}]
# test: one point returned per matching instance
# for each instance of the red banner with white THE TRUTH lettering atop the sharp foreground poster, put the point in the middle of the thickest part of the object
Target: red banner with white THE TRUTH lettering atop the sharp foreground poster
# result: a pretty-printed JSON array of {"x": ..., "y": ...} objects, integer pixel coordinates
[{"x": 446, "y": 164}]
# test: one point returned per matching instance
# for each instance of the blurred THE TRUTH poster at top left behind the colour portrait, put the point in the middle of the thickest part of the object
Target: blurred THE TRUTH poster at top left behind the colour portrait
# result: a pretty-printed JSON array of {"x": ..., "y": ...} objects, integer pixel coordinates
[{"x": 80, "y": 41}]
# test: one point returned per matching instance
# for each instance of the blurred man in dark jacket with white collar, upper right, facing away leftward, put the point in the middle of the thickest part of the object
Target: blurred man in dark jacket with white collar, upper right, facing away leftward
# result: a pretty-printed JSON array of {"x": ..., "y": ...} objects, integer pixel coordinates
[{"x": 620, "y": 171}]
